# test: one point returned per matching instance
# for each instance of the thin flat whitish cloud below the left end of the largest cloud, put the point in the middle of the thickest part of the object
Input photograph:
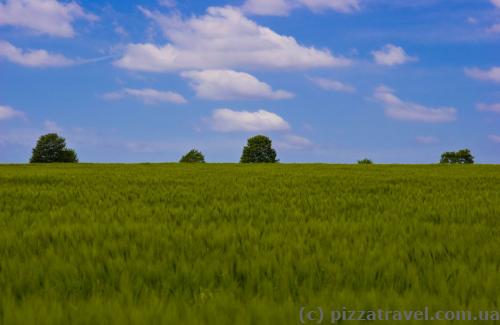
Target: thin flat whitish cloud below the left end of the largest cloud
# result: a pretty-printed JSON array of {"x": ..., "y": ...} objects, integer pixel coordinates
[{"x": 148, "y": 96}]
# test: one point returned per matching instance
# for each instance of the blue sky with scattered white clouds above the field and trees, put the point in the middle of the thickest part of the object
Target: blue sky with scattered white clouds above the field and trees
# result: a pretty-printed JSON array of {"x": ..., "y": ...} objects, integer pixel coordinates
[{"x": 328, "y": 80}]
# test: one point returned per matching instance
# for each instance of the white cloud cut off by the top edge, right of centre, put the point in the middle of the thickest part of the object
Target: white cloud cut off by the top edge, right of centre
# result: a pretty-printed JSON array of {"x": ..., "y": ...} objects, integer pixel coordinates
[{"x": 284, "y": 7}]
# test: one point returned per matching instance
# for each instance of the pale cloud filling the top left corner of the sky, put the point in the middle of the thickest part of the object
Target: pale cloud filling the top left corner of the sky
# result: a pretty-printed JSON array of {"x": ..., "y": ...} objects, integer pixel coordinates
[{"x": 49, "y": 17}]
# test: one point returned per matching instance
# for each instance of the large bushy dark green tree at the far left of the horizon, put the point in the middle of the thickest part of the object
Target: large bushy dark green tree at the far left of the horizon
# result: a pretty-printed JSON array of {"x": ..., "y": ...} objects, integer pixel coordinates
[{"x": 51, "y": 148}]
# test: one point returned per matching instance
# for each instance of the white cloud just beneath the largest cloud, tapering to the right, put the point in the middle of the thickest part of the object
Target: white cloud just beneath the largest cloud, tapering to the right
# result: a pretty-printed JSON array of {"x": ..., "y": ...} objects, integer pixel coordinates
[{"x": 228, "y": 85}]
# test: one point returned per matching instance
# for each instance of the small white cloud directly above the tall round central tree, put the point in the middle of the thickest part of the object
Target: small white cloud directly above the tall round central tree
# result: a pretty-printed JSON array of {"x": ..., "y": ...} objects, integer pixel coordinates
[{"x": 227, "y": 120}]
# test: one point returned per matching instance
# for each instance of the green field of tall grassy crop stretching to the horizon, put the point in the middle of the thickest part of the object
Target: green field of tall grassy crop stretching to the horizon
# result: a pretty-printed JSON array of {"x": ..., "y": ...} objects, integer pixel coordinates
[{"x": 243, "y": 244}]
